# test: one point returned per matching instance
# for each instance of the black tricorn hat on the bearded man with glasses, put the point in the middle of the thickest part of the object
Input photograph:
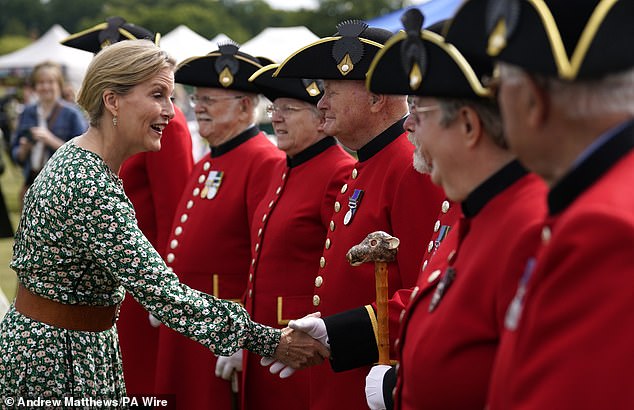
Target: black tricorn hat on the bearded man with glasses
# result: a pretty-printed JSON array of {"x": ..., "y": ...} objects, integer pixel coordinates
[{"x": 421, "y": 62}]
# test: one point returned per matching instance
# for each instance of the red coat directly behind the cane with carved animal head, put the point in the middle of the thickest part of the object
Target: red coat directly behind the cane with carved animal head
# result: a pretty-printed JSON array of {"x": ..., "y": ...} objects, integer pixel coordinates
[{"x": 389, "y": 195}]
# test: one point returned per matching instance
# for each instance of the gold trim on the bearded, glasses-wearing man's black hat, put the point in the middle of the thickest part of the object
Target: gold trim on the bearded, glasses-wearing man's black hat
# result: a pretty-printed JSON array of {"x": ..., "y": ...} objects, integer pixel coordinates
[{"x": 450, "y": 49}]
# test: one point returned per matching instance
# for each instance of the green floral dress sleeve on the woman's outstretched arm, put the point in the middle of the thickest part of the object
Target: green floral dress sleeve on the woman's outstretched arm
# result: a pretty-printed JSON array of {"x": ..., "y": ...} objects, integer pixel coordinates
[{"x": 117, "y": 245}]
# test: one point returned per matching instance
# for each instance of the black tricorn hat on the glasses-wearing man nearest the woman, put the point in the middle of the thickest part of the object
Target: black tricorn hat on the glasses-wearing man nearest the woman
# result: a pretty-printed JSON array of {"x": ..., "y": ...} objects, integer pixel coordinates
[{"x": 225, "y": 68}]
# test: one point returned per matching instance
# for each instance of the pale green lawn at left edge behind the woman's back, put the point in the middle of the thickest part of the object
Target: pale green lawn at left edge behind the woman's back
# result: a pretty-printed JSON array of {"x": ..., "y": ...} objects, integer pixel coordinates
[{"x": 11, "y": 182}]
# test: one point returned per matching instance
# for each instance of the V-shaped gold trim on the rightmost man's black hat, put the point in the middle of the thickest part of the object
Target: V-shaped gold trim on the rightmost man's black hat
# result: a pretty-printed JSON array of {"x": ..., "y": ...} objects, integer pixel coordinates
[{"x": 568, "y": 69}]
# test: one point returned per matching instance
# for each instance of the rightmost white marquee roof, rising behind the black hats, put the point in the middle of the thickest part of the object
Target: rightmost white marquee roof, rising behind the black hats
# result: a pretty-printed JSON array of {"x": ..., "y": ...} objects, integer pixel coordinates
[{"x": 277, "y": 43}]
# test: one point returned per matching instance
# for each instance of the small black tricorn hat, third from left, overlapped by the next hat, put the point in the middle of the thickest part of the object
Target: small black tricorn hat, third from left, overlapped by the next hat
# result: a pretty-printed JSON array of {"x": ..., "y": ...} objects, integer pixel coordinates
[{"x": 275, "y": 87}]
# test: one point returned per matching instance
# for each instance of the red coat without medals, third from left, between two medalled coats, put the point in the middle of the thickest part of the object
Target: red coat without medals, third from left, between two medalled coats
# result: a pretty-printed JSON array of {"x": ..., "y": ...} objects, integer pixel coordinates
[{"x": 287, "y": 239}]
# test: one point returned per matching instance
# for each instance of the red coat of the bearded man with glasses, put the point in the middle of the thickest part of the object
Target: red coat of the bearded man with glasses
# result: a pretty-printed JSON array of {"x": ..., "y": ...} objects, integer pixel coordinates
[{"x": 446, "y": 354}]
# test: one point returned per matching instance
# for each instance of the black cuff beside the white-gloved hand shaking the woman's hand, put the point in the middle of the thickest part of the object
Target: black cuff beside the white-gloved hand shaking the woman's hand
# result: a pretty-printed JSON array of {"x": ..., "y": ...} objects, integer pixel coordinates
[{"x": 352, "y": 340}]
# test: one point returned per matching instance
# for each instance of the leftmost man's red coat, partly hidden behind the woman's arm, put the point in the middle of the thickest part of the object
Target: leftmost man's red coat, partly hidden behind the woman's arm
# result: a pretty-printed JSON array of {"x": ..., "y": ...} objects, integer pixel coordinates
[{"x": 154, "y": 182}]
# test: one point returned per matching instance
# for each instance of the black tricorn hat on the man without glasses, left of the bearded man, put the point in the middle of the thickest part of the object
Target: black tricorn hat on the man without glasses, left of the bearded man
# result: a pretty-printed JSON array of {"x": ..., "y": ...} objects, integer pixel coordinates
[{"x": 346, "y": 55}]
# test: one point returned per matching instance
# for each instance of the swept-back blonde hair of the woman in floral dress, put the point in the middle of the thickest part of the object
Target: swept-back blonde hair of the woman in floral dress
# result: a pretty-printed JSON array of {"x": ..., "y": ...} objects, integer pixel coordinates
[{"x": 119, "y": 68}]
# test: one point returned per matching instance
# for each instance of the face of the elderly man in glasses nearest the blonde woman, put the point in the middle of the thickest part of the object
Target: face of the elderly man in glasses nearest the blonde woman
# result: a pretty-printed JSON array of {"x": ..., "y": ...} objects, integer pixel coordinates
[{"x": 218, "y": 113}]
